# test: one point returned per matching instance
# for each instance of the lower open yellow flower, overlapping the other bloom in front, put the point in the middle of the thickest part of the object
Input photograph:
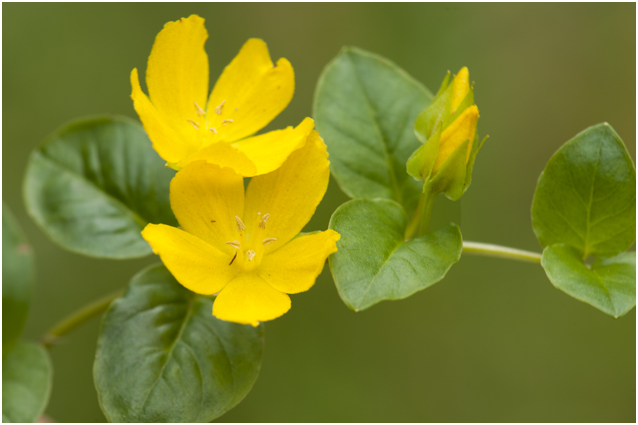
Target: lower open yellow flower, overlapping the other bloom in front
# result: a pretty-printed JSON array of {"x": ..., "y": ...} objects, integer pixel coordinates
[{"x": 245, "y": 245}]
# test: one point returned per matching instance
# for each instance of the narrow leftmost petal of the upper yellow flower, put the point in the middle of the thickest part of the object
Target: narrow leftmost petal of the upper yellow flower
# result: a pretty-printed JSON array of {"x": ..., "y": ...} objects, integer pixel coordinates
[{"x": 172, "y": 144}]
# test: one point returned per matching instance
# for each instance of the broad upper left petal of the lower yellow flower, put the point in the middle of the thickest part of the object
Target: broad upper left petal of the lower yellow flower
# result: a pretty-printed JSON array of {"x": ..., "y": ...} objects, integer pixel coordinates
[{"x": 205, "y": 199}]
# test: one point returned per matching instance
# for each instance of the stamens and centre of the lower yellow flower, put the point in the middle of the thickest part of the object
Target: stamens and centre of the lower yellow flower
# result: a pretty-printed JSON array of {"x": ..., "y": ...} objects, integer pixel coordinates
[{"x": 250, "y": 245}]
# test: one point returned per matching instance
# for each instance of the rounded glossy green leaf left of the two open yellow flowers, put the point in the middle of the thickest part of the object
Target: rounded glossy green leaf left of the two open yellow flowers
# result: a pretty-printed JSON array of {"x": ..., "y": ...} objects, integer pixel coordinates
[{"x": 93, "y": 186}]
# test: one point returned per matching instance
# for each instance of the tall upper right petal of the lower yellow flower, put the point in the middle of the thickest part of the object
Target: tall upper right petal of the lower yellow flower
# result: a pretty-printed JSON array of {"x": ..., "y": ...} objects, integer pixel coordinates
[{"x": 289, "y": 194}]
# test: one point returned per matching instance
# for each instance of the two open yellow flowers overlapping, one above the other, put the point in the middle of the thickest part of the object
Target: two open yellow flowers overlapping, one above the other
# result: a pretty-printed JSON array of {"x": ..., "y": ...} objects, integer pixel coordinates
[{"x": 243, "y": 246}]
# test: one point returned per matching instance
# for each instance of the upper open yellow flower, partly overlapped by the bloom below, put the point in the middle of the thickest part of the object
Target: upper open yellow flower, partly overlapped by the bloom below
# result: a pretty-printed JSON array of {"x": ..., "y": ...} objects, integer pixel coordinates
[{"x": 185, "y": 126}]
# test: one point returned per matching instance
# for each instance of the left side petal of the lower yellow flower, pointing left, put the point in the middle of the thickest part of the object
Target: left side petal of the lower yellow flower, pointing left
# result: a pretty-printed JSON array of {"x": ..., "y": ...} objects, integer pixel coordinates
[{"x": 195, "y": 264}]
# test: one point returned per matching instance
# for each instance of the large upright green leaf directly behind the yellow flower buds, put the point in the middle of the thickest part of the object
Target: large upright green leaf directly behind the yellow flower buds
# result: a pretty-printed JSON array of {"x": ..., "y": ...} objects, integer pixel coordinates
[{"x": 364, "y": 109}]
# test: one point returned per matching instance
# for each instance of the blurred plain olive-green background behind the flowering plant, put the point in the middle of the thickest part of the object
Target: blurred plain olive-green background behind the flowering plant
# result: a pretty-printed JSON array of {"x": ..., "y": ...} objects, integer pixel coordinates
[{"x": 494, "y": 341}]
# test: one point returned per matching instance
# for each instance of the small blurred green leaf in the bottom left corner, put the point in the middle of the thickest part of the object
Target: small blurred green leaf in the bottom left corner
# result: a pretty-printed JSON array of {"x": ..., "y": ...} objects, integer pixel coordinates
[{"x": 26, "y": 382}]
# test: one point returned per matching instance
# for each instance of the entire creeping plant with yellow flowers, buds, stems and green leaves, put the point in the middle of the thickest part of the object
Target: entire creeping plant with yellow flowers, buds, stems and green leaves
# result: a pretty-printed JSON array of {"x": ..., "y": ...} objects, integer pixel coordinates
[{"x": 183, "y": 341}]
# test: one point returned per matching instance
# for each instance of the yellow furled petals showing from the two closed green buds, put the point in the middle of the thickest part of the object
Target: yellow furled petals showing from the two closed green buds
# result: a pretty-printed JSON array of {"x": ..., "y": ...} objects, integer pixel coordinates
[{"x": 463, "y": 127}]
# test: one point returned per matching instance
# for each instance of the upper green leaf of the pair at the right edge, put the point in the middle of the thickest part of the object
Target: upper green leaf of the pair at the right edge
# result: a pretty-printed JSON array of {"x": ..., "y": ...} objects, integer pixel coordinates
[{"x": 586, "y": 196}]
